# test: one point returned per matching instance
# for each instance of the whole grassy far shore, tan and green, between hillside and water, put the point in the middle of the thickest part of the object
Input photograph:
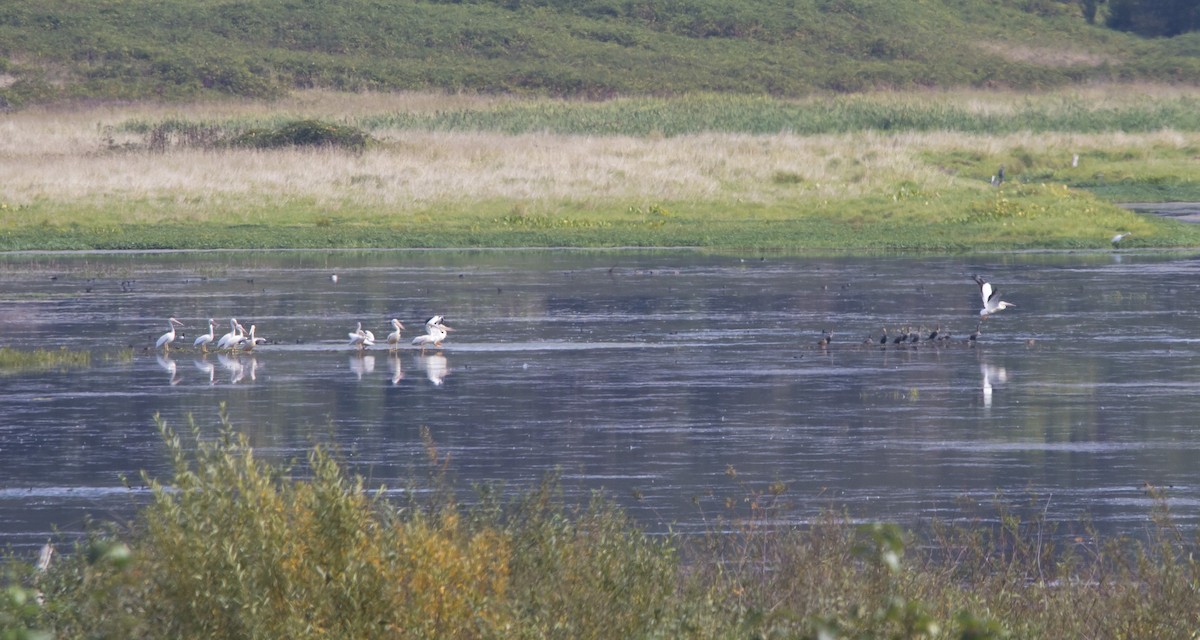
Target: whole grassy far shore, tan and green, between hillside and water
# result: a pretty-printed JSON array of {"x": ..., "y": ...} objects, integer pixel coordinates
[{"x": 445, "y": 171}]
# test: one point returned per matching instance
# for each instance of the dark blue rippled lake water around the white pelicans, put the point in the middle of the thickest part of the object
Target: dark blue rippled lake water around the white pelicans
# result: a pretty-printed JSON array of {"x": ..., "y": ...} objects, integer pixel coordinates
[{"x": 651, "y": 376}]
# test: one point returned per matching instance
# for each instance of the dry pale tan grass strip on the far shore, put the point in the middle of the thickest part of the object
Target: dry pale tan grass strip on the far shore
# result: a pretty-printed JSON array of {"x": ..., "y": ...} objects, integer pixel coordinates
[{"x": 68, "y": 155}]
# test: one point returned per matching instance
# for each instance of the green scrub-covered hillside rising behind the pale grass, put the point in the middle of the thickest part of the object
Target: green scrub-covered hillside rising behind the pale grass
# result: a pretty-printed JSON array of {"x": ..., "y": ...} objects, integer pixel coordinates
[{"x": 187, "y": 50}]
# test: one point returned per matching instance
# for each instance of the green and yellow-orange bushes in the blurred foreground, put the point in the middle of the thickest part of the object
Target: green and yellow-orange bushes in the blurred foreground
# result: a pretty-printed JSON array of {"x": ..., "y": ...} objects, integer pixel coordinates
[{"x": 238, "y": 548}]
